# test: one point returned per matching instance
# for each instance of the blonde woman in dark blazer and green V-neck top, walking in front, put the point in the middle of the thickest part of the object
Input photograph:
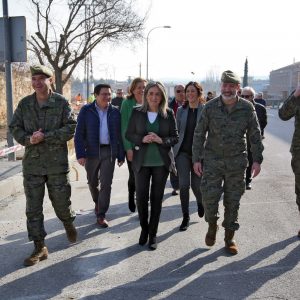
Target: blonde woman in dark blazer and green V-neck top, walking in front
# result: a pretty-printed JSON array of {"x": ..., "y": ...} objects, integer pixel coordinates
[{"x": 152, "y": 129}]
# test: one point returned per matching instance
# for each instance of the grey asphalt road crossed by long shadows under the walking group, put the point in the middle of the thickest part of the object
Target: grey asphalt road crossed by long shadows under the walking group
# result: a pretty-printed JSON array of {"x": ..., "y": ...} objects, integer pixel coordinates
[{"x": 109, "y": 264}]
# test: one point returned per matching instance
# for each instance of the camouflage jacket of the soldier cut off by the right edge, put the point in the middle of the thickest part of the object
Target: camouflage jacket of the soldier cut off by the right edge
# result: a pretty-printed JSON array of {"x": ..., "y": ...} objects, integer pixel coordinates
[{"x": 289, "y": 109}]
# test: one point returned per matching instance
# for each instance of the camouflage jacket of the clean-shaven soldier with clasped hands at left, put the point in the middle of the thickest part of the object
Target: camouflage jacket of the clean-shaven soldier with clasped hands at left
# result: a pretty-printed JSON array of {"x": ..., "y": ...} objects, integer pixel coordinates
[{"x": 57, "y": 123}]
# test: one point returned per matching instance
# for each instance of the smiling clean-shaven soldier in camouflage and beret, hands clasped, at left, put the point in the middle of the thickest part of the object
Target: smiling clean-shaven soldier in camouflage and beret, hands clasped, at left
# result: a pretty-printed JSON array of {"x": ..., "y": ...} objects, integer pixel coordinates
[{"x": 43, "y": 123}]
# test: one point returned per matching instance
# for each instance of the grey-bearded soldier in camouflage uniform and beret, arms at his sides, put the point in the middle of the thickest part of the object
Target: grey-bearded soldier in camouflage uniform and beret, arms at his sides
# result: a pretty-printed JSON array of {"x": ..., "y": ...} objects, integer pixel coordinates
[{"x": 220, "y": 140}]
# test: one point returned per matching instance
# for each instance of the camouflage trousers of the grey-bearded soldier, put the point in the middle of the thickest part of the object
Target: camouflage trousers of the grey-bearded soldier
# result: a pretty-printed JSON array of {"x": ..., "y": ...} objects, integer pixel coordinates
[{"x": 228, "y": 177}]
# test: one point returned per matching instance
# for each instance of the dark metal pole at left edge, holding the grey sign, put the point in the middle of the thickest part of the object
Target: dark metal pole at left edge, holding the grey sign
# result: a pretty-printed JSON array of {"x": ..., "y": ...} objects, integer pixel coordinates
[{"x": 8, "y": 77}]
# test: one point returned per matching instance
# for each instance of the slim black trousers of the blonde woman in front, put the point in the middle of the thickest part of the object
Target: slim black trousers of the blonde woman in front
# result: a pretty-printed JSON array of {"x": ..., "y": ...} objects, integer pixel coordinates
[{"x": 158, "y": 178}]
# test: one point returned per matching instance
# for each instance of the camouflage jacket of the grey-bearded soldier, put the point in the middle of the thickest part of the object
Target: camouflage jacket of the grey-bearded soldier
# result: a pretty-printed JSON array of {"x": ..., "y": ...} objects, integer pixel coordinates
[{"x": 221, "y": 134}]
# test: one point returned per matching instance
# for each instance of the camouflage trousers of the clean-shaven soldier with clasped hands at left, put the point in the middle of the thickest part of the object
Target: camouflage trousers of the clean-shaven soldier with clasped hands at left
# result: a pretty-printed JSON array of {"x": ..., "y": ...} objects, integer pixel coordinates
[{"x": 59, "y": 191}]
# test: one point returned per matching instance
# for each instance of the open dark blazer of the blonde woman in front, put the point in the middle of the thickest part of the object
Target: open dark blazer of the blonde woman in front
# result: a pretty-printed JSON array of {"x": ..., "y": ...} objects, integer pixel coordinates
[{"x": 136, "y": 131}]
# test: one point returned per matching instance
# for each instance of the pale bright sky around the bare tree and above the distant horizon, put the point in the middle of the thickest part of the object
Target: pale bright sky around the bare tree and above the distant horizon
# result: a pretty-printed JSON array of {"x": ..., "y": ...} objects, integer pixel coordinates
[{"x": 205, "y": 36}]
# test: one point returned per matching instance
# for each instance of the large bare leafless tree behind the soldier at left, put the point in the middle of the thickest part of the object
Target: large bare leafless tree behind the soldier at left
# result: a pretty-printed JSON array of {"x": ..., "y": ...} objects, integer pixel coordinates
[{"x": 63, "y": 42}]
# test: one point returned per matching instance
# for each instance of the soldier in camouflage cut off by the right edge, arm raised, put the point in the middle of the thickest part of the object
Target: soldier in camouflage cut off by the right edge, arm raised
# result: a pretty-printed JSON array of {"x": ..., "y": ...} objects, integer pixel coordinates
[{"x": 289, "y": 109}]
